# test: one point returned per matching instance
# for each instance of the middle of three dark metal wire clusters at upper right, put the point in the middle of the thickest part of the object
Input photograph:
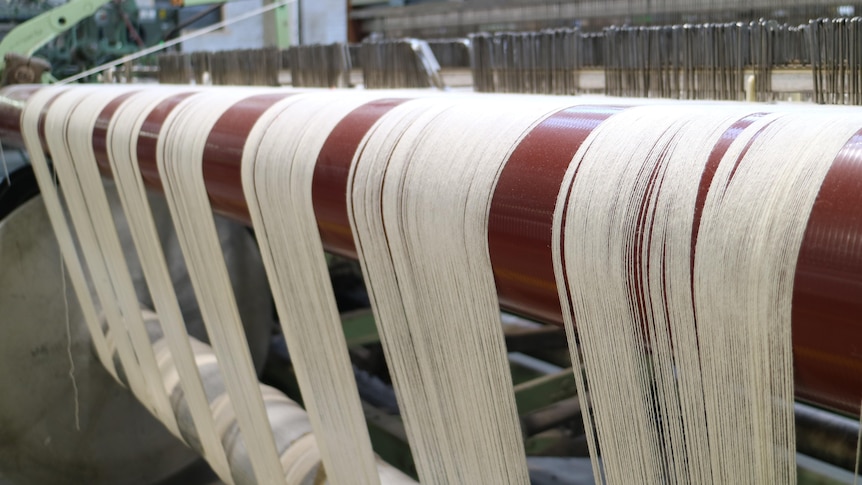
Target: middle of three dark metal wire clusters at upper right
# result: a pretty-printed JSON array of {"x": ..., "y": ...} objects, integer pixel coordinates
[{"x": 706, "y": 61}]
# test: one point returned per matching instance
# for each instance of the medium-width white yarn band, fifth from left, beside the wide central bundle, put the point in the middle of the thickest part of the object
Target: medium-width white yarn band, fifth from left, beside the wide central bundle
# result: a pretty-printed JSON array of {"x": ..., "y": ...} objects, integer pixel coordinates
[{"x": 278, "y": 167}]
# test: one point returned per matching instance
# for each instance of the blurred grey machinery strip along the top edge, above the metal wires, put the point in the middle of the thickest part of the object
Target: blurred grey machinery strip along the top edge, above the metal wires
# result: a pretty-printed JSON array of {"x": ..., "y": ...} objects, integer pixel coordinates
[{"x": 431, "y": 19}]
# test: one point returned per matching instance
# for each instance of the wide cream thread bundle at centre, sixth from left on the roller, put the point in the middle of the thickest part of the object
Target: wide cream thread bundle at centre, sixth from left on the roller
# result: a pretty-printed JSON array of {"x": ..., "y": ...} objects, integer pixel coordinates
[{"x": 419, "y": 197}]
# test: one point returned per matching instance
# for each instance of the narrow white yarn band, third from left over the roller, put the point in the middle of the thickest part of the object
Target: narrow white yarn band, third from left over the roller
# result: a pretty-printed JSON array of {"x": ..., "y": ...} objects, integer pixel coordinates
[{"x": 121, "y": 141}]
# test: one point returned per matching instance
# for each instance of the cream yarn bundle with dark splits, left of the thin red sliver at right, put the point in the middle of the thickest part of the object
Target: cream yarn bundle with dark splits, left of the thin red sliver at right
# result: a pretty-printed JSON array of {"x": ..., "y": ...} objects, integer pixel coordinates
[{"x": 613, "y": 180}]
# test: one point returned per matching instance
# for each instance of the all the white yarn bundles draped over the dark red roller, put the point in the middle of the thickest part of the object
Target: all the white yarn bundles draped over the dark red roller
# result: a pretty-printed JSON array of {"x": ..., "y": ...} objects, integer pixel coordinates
[{"x": 709, "y": 401}]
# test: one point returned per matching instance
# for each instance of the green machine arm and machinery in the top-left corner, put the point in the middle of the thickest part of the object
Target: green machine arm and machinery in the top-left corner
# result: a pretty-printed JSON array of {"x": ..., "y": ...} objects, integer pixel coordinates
[{"x": 48, "y": 41}]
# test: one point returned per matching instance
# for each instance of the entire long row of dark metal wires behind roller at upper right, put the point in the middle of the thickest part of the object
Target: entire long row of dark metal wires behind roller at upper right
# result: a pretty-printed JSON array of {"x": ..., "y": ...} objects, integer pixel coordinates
[{"x": 690, "y": 61}]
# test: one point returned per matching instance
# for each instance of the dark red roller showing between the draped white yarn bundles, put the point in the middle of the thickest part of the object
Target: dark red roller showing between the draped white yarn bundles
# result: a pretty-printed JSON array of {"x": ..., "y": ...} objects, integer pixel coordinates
[{"x": 827, "y": 302}]
